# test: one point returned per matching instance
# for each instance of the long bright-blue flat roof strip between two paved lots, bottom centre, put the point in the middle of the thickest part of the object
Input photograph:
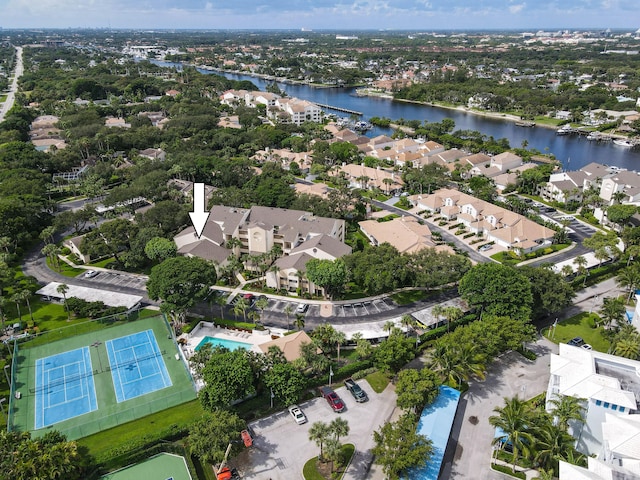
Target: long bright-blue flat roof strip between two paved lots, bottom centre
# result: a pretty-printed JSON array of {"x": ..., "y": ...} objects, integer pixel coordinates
[{"x": 435, "y": 423}]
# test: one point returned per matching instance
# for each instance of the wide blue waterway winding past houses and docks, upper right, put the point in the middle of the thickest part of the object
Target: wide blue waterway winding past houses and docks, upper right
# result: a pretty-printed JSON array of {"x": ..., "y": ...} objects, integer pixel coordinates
[{"x": 574, "y": 151}]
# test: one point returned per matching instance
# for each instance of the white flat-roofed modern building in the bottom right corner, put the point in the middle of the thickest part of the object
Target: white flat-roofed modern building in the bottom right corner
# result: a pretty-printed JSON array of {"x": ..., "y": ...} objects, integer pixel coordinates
[{"x": 610, "y": 388}]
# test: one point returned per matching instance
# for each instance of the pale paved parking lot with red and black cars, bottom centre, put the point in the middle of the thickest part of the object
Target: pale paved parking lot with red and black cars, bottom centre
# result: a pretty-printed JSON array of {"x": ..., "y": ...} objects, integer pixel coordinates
[{"x": 282, "y": 447}]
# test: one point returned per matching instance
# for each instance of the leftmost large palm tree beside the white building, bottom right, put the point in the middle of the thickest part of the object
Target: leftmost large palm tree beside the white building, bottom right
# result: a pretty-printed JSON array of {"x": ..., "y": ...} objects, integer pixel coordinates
[{"x": 514, "y": 420}]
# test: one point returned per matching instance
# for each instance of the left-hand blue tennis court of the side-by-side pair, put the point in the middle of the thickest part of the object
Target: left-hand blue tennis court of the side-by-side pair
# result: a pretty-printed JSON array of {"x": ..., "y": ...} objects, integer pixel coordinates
[{"x": 64, "y": 387}]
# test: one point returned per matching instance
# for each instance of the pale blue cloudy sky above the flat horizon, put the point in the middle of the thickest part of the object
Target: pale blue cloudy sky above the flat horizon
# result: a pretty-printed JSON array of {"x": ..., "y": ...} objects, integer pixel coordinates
[{"x": 427, "y": 15}]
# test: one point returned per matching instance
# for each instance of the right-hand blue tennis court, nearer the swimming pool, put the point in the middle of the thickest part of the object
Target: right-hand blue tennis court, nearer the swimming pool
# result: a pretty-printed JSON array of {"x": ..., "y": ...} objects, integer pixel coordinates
[{"x": 137, "y": 366}]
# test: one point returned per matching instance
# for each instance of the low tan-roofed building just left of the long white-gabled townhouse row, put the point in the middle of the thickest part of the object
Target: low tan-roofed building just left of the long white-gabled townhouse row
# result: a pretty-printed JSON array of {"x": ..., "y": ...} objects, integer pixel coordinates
[{"x": 406, "y": 234}]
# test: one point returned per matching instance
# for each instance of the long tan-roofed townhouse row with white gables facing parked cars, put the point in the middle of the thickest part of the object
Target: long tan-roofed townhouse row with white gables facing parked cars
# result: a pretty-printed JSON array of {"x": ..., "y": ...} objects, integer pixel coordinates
[{"x": 504, "y": 227}]
